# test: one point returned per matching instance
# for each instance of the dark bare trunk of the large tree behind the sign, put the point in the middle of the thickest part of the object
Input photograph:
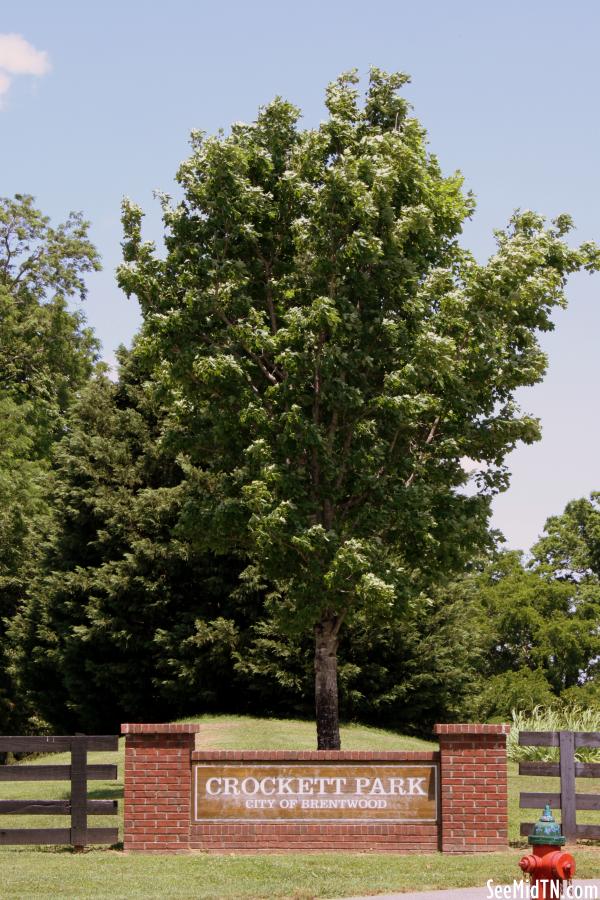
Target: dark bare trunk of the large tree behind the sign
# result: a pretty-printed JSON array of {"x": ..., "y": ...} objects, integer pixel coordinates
[{"x": 326, "y": 696}]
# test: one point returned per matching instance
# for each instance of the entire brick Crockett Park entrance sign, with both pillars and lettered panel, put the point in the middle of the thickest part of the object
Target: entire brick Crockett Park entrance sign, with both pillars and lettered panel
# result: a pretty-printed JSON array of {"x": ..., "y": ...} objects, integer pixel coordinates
[{"x": 178, "y": 799}]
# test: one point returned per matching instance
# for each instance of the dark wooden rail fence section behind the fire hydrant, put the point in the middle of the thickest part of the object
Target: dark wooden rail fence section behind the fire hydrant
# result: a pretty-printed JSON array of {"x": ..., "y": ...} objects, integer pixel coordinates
[{"x": 567, "y": 800}]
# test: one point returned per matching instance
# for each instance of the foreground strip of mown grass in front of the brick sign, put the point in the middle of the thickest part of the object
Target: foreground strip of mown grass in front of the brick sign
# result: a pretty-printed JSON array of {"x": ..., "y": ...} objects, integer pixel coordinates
[{"x": 108, "y": 874}]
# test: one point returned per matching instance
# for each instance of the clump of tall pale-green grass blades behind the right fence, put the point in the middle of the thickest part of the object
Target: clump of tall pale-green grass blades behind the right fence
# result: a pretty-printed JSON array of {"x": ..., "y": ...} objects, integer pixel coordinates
[{"x": 553, "y": 718}]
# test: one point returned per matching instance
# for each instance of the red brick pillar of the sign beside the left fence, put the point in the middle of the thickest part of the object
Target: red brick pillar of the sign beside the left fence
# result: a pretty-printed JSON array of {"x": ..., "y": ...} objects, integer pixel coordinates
[{"x": 158, "y": 786}]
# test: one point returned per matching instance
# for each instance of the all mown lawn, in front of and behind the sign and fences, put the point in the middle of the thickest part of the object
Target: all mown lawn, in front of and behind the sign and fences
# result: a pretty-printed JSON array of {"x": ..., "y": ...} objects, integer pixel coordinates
[{"x": 107, "y": 873}]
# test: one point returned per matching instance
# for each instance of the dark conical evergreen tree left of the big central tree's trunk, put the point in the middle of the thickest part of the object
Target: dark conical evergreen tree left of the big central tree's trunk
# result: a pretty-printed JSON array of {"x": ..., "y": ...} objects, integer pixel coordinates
[{"x": 118, "y": 604}]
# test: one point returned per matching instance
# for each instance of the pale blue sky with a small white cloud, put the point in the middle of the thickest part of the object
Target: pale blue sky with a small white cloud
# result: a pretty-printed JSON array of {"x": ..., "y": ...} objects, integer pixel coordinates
[{"x": 97, "y": 102}]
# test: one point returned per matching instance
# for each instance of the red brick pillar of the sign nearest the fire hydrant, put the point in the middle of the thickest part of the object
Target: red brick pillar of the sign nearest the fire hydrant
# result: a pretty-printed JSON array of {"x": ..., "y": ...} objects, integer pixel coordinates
[{"x": 474, "y": 787}]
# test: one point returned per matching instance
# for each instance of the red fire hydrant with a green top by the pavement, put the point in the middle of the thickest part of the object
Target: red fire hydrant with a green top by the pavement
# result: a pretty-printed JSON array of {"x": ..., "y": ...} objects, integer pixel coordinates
[{"x": 547, "y": 867}]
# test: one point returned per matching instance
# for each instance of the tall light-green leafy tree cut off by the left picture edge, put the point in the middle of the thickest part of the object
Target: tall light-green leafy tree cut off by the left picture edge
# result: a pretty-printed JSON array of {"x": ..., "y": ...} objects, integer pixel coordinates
[{"x": 46, "y": 355}]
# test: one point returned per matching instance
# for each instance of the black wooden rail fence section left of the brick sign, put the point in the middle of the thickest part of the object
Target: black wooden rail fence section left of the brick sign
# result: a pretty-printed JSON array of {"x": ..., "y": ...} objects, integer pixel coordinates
[{"x": 78, "y": 807}]
